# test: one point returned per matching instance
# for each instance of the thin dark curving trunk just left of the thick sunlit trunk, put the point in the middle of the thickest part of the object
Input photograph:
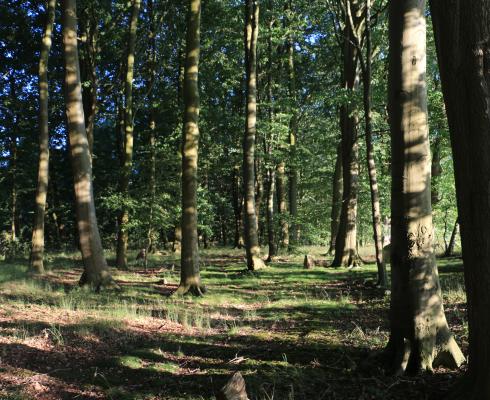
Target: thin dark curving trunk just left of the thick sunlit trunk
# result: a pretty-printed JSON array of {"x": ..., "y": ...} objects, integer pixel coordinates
[{"x": 371, "y": 165}]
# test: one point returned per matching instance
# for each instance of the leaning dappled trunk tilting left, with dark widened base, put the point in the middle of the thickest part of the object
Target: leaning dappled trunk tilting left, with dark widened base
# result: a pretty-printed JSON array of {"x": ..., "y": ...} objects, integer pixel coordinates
[{"x": 96, "y": 272}]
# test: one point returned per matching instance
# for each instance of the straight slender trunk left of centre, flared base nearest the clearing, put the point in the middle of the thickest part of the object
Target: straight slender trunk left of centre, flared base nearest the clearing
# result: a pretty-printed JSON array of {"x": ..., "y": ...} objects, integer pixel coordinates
[{"x": 190, "y": 280}]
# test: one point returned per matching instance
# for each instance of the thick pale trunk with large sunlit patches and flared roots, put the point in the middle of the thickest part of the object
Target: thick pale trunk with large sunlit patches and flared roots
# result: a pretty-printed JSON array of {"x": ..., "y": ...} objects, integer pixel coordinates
[{"x": 420, "y": 338}]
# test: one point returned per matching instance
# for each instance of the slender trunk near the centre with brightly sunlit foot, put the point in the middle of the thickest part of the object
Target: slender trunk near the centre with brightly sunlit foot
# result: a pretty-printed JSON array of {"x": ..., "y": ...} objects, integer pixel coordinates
[{"x": 252, "y": 248}]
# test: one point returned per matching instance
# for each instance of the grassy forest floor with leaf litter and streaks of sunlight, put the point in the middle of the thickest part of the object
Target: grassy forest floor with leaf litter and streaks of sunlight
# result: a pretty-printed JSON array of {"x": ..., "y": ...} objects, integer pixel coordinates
[{"x": 294, "y": 334}]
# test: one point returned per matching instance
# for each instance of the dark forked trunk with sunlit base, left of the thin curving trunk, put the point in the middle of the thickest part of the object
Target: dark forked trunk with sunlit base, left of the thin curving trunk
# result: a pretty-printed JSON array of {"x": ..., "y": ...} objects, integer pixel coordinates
[{"x": 345, "y": 244}]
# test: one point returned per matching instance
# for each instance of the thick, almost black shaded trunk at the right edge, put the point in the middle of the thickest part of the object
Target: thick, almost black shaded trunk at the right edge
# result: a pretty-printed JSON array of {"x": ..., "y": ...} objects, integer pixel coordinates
[{"x": 462, "y": 30}]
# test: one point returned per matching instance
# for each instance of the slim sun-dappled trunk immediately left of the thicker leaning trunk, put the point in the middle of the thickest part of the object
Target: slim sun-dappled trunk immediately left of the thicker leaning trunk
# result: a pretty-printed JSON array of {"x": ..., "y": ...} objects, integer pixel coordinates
[{"x": 36, "y": 264}]
